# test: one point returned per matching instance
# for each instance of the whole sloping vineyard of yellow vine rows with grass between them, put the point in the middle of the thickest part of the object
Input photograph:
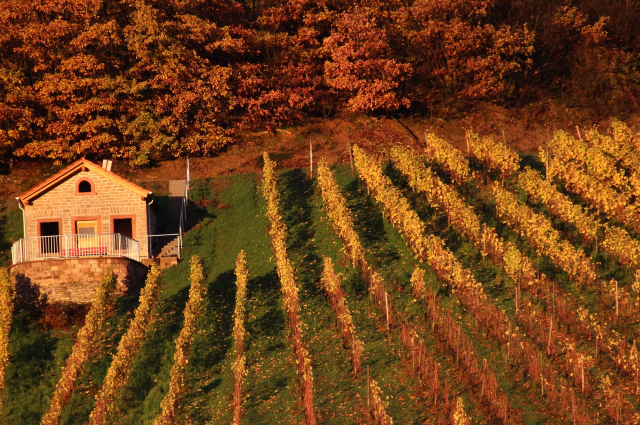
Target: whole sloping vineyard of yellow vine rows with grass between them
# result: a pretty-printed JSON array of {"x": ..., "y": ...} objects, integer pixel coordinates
[{"x": 417, "y": 284}]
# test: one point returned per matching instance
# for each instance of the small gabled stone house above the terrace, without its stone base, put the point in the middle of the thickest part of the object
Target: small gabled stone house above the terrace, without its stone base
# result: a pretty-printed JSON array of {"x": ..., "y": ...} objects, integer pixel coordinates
[{"x": 85, "y": 199}]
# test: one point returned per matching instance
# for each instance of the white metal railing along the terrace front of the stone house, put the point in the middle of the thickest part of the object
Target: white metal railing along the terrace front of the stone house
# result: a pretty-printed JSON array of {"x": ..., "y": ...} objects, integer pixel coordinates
[{"x": 69, "y": 246}]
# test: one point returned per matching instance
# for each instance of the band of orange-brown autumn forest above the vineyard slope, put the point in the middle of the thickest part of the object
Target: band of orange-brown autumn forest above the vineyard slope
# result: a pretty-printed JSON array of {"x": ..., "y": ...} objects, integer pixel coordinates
[{"x": 139, "y": 80}]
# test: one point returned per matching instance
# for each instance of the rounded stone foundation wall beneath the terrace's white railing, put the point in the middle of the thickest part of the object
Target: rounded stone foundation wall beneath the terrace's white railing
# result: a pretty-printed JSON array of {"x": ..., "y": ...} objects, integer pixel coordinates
[{"x": 75, "y": 279}]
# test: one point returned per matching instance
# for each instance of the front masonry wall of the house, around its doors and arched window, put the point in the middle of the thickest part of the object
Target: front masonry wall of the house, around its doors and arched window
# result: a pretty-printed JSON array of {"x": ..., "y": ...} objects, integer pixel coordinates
[{"x": 109, "y": 201}]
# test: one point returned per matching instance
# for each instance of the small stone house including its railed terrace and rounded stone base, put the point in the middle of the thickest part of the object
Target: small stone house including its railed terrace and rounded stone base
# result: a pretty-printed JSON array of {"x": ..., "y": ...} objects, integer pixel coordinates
[{"x": 77, "y": 223}]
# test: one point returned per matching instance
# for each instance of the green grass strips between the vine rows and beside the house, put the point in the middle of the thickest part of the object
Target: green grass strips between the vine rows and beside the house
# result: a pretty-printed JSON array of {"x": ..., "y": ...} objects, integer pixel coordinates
[{"x": 227, "y": 215}]
